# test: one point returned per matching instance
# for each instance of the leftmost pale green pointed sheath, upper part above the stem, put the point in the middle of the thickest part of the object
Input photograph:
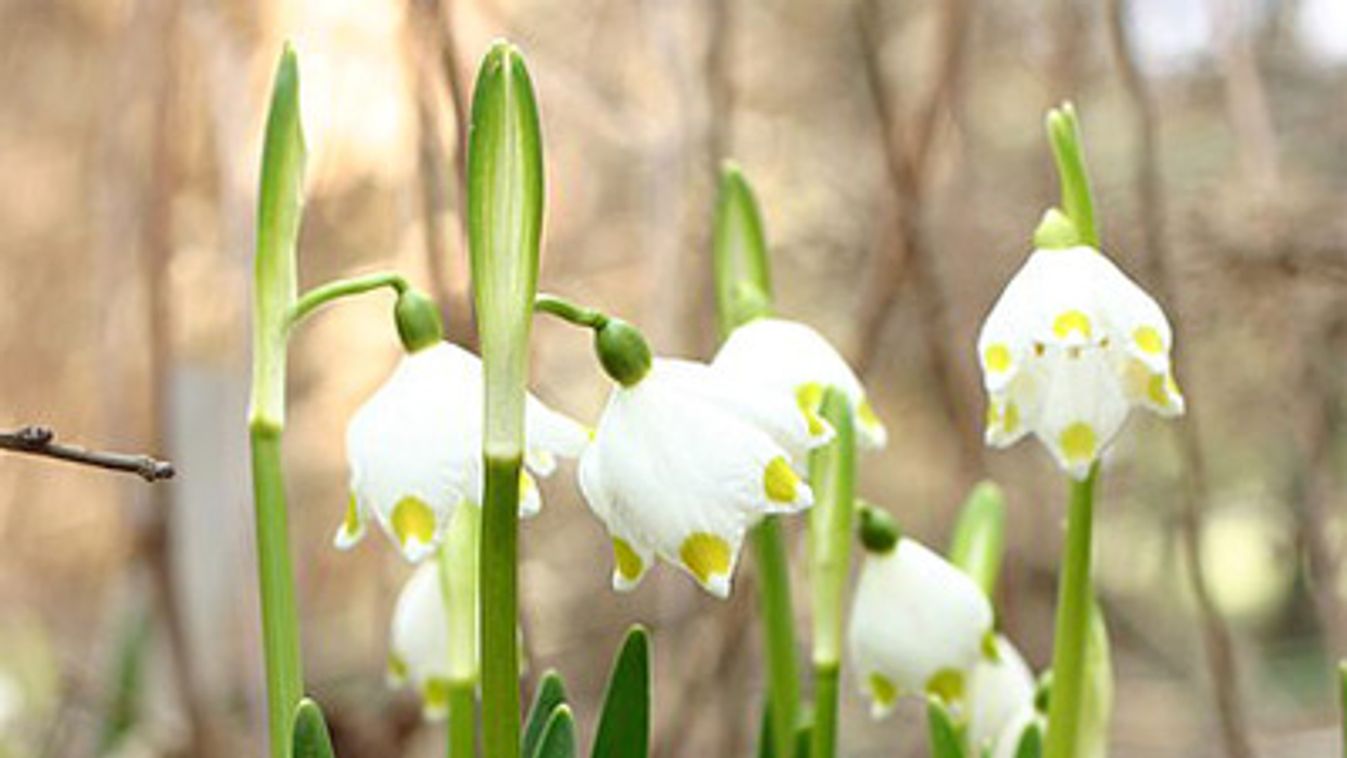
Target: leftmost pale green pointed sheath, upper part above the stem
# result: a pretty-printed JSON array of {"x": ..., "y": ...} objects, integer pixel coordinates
[{"x": 280, "y": 209}]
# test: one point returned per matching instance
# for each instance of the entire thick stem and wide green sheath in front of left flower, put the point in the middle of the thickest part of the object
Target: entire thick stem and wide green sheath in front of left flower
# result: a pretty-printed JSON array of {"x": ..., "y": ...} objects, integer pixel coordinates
[{"x": 504, "y": 231}]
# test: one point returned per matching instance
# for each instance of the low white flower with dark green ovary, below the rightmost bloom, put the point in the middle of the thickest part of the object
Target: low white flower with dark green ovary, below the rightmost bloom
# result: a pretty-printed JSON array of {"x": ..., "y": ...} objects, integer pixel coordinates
[{"x": 918, "y": 625}]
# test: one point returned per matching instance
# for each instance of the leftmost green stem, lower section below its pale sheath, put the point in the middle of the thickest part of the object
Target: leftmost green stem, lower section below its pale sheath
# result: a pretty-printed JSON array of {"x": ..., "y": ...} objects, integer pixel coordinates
[{"x": 280, "y": 621}]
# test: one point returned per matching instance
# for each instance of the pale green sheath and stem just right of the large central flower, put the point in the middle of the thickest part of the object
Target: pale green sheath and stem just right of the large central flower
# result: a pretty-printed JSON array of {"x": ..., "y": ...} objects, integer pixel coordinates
[{"x": 832, "y": 523}]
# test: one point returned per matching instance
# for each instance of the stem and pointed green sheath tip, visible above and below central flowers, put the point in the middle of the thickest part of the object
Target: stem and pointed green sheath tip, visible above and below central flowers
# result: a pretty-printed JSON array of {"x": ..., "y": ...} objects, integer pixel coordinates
[{"x": 743, "y": 294}]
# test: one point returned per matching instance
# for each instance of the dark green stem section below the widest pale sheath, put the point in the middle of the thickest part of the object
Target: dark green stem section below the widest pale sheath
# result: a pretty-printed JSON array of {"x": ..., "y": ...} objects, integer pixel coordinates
[{"x": 499, "y": 601}]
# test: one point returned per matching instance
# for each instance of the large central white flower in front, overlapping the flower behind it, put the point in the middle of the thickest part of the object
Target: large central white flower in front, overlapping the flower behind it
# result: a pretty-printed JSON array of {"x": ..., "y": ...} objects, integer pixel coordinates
[{"x": 685, "y": 462}]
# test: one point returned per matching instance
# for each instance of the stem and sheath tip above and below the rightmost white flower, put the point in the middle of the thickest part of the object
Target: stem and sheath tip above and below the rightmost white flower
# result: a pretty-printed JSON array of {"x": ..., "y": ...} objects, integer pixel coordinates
[{"x": 1076, "y": 592}]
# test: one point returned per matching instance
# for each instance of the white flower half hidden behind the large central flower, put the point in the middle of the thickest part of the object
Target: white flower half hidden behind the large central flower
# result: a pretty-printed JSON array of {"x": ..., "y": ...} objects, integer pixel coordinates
[{"x": 794, "y": 359}]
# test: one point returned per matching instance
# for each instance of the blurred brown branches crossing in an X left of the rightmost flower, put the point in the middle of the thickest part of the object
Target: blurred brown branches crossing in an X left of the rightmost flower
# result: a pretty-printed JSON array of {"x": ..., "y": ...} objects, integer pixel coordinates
[{"x": 905, "y": 261}]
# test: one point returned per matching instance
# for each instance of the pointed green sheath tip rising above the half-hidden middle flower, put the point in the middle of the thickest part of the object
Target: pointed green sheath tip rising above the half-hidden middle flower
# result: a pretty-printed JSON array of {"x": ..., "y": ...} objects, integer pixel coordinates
[{"x": 743, "y": 270}]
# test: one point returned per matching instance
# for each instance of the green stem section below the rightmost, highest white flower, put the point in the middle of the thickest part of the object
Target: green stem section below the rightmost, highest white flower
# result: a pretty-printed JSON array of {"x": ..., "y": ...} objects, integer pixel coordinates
[{"x": 1073, "y": 627}]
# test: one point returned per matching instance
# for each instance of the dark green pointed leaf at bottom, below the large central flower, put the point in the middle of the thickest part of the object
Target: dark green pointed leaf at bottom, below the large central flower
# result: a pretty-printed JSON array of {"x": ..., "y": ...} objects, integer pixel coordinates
[{"x": 624, "y": 728}]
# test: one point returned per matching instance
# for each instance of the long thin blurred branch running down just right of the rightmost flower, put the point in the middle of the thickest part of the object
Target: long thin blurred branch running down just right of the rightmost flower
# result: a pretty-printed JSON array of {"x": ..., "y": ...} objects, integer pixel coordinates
[{"x": 1194, "y": 493}]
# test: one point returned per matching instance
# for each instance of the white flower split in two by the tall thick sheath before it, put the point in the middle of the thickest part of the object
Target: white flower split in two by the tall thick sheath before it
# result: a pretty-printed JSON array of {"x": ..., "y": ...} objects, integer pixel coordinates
[{"x": 416, "y": 450}]
